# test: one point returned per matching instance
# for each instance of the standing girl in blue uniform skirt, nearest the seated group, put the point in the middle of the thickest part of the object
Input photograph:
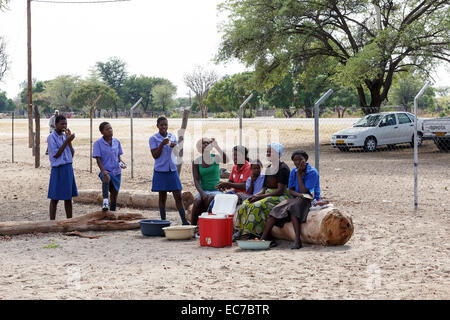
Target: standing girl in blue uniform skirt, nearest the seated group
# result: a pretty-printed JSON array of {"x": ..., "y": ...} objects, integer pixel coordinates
[{"x": 165, "y": 174}]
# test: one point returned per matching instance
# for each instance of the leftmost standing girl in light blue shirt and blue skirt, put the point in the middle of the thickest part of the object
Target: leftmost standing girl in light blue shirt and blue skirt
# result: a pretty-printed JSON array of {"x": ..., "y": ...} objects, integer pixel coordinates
[{"x": 62, "y": 184}]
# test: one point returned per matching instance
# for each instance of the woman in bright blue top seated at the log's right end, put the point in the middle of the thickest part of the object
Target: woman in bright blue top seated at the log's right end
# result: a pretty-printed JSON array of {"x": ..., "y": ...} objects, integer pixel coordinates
[{"x": 303, "y": 179}]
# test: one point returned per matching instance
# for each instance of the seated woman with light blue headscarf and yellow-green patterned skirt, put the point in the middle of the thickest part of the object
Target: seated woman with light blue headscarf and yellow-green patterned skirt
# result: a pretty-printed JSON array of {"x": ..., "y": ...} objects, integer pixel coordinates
[{"x": 253, "y": 213}]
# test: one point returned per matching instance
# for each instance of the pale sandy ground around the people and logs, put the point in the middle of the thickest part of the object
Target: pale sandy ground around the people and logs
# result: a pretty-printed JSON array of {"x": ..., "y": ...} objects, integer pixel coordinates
[{"x": 394, "y": 253}]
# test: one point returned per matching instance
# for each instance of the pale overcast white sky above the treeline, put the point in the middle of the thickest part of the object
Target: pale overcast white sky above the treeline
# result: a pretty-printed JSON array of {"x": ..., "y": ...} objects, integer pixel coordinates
[{"x": 159, "y": 38}]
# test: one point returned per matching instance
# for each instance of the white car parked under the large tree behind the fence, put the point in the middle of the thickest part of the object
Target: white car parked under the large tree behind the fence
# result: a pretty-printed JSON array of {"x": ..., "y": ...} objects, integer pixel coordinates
[{"x": 384, "y": 128}]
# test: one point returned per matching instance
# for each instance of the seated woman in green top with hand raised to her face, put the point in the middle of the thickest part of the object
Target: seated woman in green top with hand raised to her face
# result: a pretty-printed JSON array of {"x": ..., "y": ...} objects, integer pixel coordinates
[{"x": 205, "y": 170}]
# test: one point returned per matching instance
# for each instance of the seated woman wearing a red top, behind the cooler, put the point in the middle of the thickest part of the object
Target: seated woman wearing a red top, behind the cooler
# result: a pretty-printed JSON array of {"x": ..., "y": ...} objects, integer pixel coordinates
[{"x": 239, "y": 174}]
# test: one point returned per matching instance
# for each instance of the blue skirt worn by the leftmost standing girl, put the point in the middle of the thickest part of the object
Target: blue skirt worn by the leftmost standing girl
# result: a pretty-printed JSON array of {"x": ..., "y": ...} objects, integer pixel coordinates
[{"x": 62, "y": 184}]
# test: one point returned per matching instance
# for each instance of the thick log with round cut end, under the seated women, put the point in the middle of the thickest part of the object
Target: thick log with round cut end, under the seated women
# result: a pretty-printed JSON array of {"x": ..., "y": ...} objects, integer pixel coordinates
[{"x": 326, "y": 227}]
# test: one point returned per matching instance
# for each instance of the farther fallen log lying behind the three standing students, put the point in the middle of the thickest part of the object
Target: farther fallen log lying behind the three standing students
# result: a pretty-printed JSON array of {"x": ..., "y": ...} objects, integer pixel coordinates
[{"x": 133, "y": 199}]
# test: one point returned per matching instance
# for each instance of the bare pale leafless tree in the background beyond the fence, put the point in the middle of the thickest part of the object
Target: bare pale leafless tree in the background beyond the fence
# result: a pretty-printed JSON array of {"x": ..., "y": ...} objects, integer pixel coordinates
[{"x": 200, "y": 81}]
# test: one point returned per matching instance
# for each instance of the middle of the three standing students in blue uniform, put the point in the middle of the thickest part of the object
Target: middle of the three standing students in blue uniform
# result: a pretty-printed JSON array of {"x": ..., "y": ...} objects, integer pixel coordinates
[{"x": 107, "y": 152}]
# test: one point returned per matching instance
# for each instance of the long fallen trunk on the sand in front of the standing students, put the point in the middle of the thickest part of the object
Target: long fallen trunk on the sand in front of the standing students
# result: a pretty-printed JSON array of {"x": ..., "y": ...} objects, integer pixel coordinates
[{"x": 96, "y": 221}]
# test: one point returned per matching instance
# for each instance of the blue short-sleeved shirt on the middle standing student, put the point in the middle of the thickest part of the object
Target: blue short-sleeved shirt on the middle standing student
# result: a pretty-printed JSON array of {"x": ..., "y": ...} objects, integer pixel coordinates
[{"x": 109, "y": 154}]
